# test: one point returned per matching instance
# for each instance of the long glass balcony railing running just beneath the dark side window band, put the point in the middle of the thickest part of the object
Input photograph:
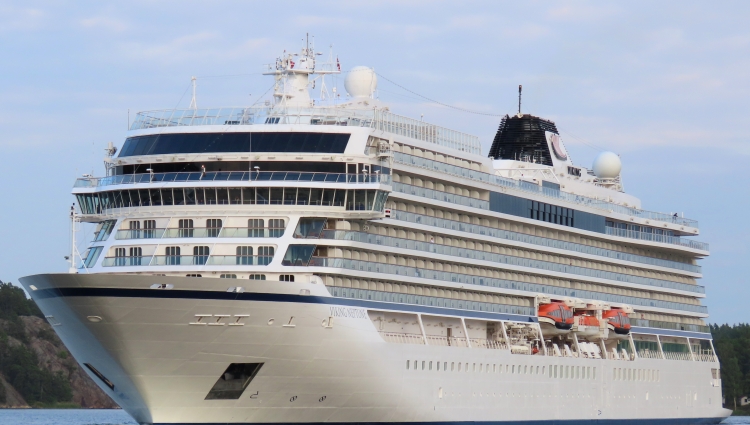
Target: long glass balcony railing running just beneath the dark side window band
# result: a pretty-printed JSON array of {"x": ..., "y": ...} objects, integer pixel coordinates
[{"x": 537, "y": 240}]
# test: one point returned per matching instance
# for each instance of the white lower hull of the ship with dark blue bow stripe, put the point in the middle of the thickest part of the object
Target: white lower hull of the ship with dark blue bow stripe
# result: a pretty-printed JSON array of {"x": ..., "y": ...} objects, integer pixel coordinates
[{"x": 318, "y": 370}]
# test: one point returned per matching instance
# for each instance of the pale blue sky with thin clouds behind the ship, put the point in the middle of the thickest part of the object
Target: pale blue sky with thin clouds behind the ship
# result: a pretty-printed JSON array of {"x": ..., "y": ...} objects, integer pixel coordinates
[{"x": 663, "y": 84}]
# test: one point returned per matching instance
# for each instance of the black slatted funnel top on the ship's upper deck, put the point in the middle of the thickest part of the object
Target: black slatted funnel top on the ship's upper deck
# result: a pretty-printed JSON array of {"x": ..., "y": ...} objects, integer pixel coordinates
[{"x": 522, "y": 139}]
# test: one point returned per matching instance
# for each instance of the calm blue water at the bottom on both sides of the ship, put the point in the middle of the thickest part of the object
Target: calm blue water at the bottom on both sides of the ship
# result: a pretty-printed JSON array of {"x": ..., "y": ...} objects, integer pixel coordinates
[{"x": 118, "y": 417}]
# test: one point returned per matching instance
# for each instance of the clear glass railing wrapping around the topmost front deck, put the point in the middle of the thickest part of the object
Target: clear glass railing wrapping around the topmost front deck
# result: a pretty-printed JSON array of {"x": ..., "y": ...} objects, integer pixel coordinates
[{"x": 373, "y": 118}]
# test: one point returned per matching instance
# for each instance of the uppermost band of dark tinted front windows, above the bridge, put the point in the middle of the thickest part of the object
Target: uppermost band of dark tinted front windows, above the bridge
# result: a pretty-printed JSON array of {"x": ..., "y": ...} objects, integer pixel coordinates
[{"x": 159, "y": 144}]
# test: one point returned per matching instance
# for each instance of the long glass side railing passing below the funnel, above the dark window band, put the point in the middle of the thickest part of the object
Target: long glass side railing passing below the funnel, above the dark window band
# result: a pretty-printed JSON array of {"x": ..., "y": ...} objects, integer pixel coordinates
[{"x": 539, "y": 190}]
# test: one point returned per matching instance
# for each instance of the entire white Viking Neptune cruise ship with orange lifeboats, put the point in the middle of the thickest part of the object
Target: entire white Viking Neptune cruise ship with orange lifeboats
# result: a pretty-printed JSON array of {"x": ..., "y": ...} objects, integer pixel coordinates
[{"x": 325, "y": 260}]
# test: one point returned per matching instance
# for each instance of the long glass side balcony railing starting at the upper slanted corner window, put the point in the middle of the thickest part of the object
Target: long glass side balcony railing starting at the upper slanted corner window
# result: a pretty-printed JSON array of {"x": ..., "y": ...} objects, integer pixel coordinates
[{"x": 504, "y": 259}]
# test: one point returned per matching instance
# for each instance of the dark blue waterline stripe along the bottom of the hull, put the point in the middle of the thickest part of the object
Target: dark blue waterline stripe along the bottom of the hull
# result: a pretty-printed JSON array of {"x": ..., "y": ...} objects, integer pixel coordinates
[{"x": 667, "y": 421}]
